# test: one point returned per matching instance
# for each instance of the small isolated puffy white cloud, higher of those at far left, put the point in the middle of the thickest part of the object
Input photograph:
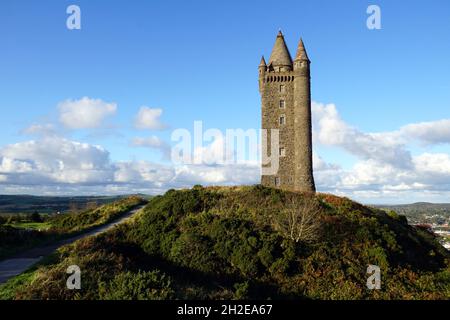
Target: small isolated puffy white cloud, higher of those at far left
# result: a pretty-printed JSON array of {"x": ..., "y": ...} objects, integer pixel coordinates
[{"x": 85, "y": 113}]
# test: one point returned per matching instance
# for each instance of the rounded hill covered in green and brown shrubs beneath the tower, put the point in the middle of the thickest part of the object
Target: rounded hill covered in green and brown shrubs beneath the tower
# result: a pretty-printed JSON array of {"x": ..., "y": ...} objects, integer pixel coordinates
[{"x": 247, "y": 242}]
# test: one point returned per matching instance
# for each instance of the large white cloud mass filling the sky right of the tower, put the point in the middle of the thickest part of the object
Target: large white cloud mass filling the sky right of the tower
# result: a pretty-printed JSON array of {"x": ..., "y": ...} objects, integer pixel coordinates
[{"x": 385, "y": 167}]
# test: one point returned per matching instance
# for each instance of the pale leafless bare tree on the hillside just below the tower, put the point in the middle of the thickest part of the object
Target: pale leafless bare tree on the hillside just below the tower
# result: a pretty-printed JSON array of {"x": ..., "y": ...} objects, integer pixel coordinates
[{"x": 299, "y": 219}]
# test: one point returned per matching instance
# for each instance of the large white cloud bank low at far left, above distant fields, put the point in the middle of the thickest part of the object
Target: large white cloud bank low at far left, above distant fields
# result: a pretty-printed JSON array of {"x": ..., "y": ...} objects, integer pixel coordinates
[{"x": 54, "y": 160}]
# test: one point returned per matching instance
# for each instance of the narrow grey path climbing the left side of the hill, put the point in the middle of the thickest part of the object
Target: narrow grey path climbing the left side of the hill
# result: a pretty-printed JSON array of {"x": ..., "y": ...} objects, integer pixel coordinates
[{"x": 22, "y": 261}]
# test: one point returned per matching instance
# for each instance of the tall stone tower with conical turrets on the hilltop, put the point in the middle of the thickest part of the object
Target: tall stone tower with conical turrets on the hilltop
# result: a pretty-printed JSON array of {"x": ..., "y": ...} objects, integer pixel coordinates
[{"x": 284, "y": 86}]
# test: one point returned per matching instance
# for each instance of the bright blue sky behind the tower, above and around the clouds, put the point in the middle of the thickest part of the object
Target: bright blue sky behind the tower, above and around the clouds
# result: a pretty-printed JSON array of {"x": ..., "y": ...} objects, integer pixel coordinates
[{"x": 197, "y": 60}]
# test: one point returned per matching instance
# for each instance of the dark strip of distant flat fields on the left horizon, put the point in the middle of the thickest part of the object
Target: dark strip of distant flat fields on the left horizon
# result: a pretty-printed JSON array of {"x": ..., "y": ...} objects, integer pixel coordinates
[{"x": 25, "y": 204}]
